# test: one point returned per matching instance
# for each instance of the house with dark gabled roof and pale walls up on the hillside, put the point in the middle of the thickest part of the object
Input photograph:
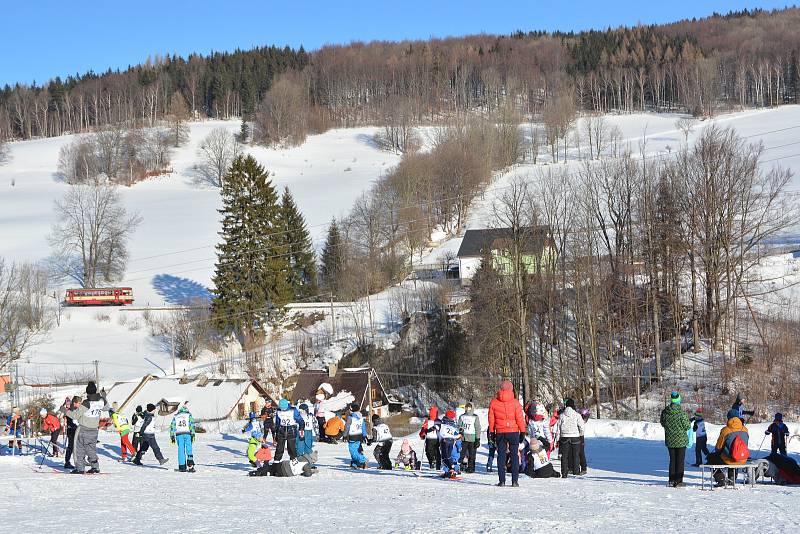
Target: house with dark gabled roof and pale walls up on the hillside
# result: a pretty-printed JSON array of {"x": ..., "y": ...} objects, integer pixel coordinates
[{"x": 536, "y": 242}]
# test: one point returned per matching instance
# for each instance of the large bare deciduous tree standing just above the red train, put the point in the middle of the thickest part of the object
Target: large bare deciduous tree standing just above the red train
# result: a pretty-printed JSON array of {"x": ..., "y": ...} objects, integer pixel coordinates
[{"x": 89, "y": 239}]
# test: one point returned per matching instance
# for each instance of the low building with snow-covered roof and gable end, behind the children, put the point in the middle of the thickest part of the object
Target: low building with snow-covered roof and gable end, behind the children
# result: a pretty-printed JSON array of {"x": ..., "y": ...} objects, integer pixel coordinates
[{"x": 208, "y": 398}]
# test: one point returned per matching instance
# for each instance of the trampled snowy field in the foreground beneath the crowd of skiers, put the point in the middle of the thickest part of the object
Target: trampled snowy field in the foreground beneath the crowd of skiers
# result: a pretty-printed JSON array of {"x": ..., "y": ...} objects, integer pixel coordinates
[{"x": 625, "y": 491}]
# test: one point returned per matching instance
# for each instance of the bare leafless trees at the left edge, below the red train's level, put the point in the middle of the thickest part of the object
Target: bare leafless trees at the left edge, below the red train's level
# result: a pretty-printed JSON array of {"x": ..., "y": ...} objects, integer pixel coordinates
[{"x": 27, "y": 313}]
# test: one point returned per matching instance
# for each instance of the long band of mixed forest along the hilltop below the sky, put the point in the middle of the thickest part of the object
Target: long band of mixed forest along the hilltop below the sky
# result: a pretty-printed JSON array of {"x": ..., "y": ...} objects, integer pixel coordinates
[{"x": 742, "y": 59}]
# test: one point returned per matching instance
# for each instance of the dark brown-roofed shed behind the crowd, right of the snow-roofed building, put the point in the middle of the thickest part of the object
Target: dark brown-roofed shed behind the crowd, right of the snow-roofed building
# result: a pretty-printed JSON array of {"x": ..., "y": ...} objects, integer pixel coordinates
[{"x": 356, "y": 381}]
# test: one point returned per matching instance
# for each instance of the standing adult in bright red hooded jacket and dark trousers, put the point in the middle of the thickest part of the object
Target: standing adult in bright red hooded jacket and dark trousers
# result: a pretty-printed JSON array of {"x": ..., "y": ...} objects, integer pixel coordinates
[{"x": 507, "y": 422}]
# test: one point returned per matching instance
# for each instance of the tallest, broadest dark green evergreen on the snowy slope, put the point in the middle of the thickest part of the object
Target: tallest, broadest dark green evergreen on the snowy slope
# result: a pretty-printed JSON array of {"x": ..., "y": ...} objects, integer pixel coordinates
[{"x": 250, "y": 279}]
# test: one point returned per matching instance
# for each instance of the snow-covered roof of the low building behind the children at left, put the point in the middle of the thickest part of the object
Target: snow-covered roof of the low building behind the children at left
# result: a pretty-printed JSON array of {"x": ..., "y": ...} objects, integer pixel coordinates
[{"x": 208, "y": 400}]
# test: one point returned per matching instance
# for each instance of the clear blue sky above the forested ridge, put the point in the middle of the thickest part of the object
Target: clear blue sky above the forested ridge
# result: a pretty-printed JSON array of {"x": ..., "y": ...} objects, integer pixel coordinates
[{"x": 44, "y": 38}]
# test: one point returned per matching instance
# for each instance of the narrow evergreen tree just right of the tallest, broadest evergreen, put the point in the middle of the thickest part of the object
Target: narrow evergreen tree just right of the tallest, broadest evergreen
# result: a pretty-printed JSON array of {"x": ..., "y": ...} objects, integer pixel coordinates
[{"x": 302, "y": 274}]
